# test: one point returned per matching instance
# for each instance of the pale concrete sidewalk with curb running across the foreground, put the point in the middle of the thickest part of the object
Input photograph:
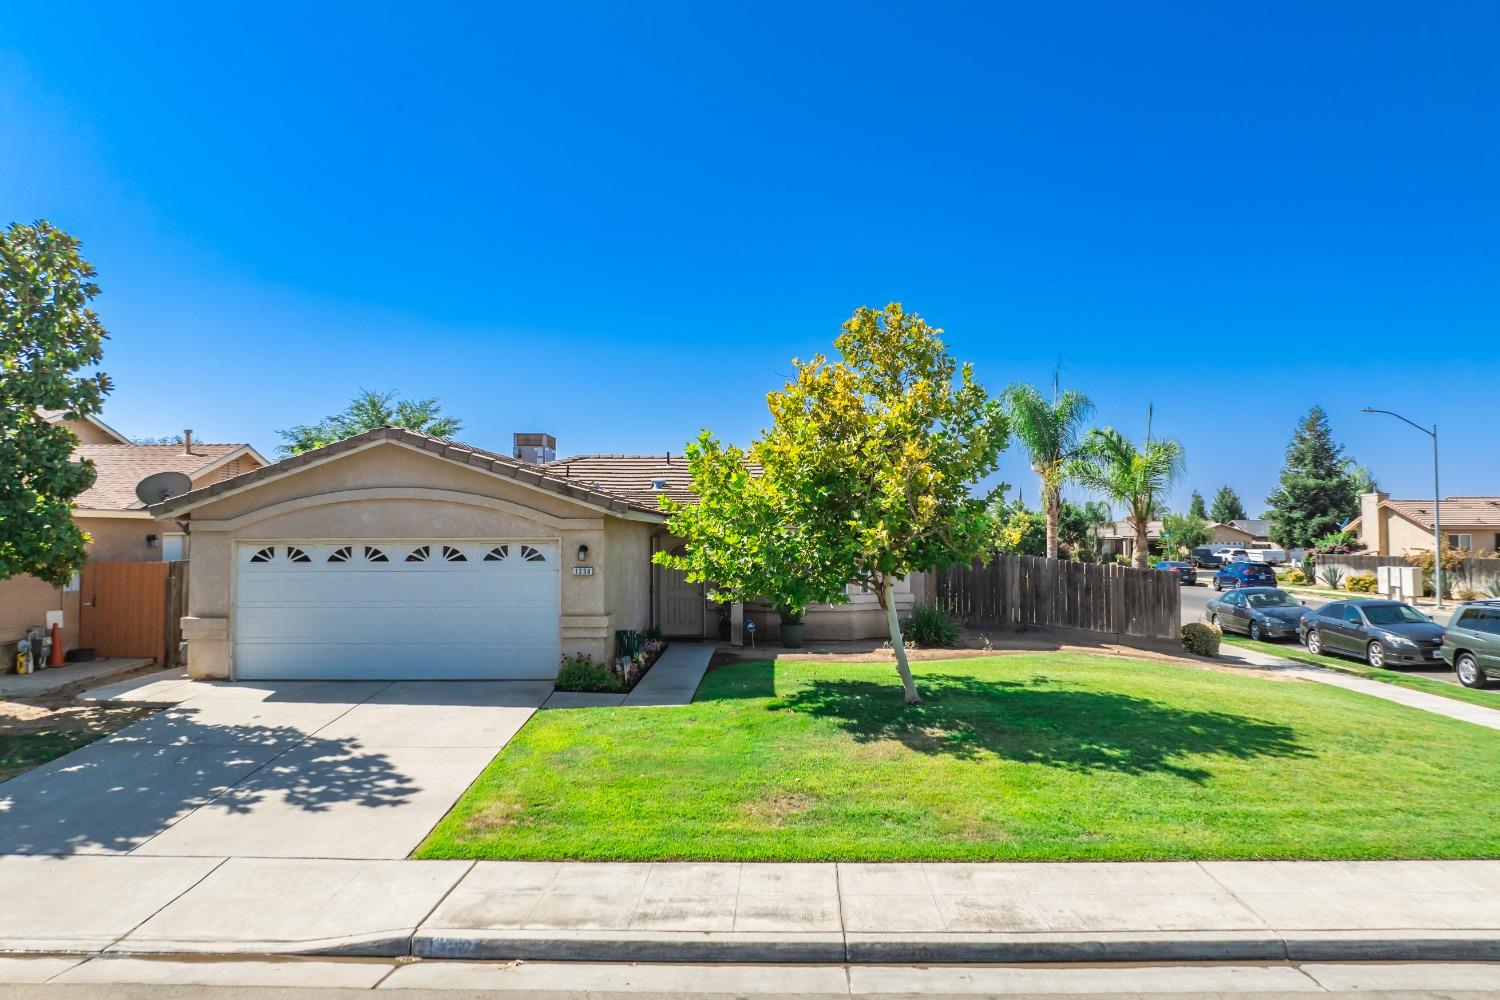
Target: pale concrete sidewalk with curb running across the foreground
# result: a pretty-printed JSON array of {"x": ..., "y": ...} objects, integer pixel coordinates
[{"x": 755, "y": 912}]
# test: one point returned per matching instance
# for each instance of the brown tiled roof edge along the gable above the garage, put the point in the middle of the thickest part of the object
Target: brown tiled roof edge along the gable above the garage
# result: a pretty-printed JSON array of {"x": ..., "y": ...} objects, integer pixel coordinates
[{"x": 493, "y": 463}]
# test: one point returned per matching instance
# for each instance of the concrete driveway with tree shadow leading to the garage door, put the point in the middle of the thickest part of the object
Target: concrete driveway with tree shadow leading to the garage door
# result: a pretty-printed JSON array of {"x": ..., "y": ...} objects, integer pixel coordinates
[{"x": 271, "y": 770}]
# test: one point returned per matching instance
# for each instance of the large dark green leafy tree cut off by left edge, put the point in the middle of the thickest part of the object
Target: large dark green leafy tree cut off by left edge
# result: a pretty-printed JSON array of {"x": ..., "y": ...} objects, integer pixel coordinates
[{"x": 49, "y": 337}]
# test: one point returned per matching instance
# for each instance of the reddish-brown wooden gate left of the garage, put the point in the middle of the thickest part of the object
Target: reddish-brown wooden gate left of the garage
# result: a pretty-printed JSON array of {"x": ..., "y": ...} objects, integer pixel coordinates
[{"x": 124, "y": 609}]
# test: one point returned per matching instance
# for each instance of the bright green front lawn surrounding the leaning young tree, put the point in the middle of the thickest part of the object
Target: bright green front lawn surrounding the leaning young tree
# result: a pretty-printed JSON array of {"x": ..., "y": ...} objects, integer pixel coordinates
[{"x": 1063, "y": 758}]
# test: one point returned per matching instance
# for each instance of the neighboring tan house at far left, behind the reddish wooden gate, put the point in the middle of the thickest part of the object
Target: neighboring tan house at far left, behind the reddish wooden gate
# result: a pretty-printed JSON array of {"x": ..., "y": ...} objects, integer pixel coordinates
[{"x": 119, "y": 527}]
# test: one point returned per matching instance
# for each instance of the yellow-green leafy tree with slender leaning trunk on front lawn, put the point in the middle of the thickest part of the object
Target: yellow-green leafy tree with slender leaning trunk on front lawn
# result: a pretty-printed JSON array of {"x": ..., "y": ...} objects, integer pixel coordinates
[{"x": 868, "y": 470}]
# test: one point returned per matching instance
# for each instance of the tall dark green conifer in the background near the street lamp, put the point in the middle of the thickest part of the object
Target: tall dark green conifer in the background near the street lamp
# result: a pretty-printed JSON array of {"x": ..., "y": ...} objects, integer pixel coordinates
[{"x": 1316, "y": 494}]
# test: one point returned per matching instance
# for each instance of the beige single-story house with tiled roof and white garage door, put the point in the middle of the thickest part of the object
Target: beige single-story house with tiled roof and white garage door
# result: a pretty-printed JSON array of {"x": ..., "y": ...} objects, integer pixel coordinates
[{"x": 401, "y": 555}]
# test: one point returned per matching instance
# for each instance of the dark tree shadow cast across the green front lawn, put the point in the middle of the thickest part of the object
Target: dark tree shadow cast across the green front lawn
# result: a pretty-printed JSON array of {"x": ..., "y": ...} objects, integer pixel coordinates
[{"x": 1040, "y": 722}]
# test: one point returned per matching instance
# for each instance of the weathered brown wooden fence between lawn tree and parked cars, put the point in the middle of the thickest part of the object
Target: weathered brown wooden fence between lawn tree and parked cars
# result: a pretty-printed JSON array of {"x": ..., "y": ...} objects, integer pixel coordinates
[{"x": 1024, "y": 591}]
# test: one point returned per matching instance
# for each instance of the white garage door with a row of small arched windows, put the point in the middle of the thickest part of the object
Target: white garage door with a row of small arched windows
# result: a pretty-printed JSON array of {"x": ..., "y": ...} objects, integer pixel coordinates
[{"x": 397, "y": 609}]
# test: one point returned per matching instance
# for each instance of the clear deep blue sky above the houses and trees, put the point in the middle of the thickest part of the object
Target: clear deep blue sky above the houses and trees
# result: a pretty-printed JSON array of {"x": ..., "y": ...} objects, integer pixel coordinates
[{"x": 619, "y": 223}]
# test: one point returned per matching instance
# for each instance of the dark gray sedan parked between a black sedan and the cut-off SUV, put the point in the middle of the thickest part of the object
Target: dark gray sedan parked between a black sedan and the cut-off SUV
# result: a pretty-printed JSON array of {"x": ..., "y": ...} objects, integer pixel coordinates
[{"x": 1384, "y": 633}]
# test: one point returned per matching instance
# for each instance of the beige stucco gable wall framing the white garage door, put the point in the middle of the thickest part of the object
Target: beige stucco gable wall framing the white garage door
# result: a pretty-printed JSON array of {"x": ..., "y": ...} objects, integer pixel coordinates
[{"x": 389, "y": 491}]
